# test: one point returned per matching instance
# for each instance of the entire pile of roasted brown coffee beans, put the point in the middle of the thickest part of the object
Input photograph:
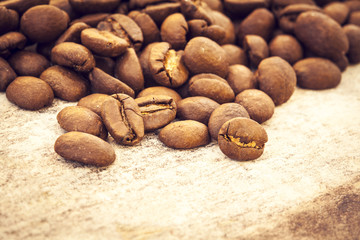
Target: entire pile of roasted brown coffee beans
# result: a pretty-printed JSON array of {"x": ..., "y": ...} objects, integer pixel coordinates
[{"x": 191, "y": 70}]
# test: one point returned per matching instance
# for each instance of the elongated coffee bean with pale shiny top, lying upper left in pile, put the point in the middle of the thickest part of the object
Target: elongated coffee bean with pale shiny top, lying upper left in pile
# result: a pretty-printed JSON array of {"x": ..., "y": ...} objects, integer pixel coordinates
[{"x": 103, "y": 43}]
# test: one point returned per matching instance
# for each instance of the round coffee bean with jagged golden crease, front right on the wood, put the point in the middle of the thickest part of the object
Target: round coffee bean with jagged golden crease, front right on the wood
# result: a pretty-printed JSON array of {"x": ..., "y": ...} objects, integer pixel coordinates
[{"x": 242, "y": 139}]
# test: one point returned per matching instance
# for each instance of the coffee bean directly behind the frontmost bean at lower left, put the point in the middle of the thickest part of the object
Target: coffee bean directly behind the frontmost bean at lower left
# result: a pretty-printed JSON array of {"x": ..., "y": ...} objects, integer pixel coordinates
[{"x": 81, "y": 119}]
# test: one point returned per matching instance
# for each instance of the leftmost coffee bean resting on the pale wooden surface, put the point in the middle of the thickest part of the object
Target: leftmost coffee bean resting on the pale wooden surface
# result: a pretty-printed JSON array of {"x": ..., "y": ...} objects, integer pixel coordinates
[{"x": 29, "y": 93}]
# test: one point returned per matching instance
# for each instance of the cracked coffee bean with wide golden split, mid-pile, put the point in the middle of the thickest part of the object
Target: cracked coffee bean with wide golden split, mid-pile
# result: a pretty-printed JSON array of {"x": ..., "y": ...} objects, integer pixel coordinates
[{"x": 166, "y": 65}]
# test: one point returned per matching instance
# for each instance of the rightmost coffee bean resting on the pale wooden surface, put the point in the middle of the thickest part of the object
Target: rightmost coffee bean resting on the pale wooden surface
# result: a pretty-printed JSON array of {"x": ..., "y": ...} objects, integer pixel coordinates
[{"x": 317, "y": 73}]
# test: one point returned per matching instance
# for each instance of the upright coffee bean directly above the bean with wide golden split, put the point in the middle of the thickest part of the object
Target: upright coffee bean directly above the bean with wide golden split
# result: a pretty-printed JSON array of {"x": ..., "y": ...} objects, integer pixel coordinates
[{"x": 174, "y": 30}]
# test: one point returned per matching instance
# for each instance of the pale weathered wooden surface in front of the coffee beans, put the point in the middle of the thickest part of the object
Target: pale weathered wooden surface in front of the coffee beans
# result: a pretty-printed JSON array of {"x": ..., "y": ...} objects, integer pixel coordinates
[{"x": 306, "y": 185}]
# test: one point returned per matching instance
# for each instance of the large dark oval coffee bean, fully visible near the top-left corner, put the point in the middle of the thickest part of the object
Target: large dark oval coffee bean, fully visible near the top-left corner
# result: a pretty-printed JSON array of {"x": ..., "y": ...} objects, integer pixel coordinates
[{"x": 44, "y": 23}]
